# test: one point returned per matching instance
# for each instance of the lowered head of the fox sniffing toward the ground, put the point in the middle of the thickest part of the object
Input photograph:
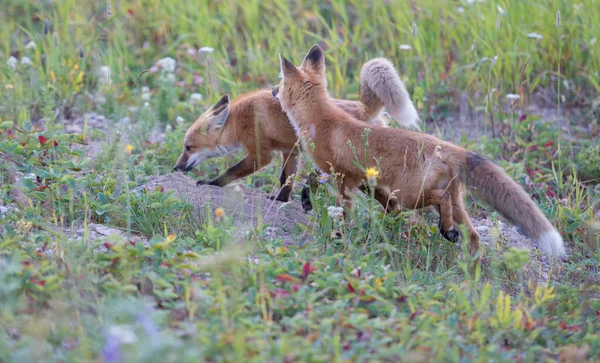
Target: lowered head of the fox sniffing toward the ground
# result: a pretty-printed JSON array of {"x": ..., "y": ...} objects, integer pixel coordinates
[{"x": 201, "y": 141}]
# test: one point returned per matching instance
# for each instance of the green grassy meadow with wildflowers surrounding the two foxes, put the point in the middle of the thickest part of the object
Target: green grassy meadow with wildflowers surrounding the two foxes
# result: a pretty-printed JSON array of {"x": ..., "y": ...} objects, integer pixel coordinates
[{"x": 82, "y": 129}]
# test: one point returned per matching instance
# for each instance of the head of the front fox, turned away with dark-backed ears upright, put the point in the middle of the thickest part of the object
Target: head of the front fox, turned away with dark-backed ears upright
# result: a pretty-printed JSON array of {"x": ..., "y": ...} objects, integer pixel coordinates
[{"x": 299, "y": 84}]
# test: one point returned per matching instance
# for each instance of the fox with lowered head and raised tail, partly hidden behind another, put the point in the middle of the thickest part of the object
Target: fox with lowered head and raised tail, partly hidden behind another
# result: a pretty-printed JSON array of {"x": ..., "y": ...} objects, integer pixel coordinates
[{"x": 256, "y": 122}]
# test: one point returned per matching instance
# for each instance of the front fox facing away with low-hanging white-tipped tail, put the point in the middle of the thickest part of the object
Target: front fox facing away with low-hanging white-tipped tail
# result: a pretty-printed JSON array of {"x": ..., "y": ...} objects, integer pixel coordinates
[{"x": 421, "y": 169}]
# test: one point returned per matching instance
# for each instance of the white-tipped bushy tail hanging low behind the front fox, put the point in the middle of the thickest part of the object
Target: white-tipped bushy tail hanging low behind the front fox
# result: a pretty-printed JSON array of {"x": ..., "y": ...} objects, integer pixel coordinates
[{"x": 488, "y": 181}]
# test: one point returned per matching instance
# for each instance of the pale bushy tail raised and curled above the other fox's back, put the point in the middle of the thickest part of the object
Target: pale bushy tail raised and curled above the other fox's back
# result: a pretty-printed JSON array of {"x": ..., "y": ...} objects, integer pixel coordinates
[{"x": 380, "y": 85}]
